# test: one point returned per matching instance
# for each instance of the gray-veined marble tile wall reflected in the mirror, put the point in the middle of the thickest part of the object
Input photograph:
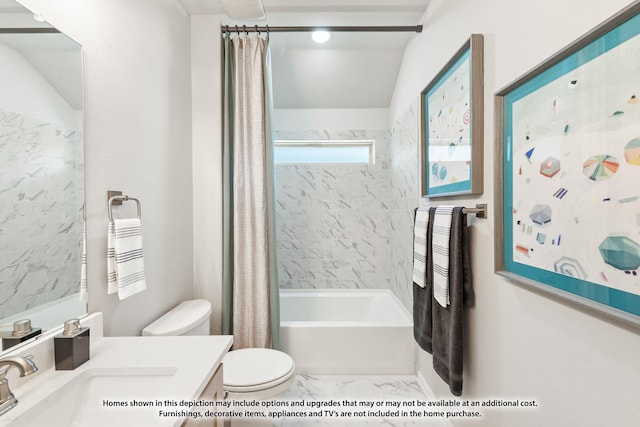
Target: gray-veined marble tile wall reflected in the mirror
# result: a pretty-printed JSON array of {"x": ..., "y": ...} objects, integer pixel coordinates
[{"x": 41, "y": 195}]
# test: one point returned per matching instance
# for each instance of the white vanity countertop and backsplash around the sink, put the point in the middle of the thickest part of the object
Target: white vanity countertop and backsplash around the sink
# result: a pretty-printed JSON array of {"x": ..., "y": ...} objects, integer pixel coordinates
[{"x": 193, "y": 361}]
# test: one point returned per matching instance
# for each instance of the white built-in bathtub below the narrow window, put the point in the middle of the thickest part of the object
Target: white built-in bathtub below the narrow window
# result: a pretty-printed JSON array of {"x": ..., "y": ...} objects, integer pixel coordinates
[{"x": 346, "y": 331}]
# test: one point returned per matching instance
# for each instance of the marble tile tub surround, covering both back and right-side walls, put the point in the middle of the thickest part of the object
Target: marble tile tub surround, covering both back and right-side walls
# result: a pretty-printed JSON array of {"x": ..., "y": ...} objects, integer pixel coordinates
[{"x": 351, "y": 226}]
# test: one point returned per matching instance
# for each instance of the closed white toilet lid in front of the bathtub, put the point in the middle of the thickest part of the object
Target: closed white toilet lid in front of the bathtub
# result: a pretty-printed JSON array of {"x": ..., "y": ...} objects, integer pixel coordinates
[{"x": 250, "y": 369}]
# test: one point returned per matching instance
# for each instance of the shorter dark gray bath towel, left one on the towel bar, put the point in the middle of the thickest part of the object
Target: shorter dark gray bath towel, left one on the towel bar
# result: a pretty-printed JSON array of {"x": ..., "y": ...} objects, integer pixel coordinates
[{"x": 423, "y": 296}]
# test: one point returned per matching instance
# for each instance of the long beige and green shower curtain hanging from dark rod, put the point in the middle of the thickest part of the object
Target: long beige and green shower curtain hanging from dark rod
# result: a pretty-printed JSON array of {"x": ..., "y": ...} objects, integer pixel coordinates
[{"x": 250, "y": 285}]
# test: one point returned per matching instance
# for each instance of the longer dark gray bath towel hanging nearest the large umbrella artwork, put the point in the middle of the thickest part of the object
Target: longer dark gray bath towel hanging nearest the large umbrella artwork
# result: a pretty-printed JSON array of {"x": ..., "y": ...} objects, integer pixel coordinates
[{"x": 447, "y": 322}]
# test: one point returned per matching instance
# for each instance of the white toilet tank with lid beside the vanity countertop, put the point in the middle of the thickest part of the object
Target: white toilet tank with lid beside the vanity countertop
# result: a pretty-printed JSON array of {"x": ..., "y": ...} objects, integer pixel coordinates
[{"x": 187, "y": 318}]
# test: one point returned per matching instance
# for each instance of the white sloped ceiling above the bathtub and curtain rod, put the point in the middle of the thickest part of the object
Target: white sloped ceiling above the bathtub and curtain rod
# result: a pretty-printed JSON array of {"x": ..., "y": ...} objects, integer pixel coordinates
[{"x": 352, "y": 70}]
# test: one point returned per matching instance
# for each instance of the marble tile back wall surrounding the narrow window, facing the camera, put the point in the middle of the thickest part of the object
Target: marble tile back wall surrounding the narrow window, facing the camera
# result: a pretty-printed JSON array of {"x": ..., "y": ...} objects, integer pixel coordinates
[{"x": 333, "y": 219}]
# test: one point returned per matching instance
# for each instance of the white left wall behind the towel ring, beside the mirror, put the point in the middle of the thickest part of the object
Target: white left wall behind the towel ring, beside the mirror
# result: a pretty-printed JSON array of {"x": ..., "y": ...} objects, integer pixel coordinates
[{"x": 138, "y": 140}]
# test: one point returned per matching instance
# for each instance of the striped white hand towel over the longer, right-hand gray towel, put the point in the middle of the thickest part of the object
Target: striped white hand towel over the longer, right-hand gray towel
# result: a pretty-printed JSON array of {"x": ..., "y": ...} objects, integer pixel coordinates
[{"x": 440, "y": 257}]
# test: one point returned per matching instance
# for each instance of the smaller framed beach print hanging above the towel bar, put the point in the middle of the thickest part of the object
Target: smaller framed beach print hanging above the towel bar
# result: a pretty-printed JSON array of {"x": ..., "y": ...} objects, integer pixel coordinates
[{"x": 451, "y": 125}]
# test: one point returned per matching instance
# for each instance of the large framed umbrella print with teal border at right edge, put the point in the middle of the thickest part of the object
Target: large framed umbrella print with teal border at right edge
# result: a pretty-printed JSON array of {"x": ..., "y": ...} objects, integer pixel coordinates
[{"x": 568, "y": 172}]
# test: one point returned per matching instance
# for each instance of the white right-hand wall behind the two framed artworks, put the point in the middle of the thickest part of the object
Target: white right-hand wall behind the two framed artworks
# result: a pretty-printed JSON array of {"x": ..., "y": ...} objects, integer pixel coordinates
[{"x": 581, "y": 368}]
